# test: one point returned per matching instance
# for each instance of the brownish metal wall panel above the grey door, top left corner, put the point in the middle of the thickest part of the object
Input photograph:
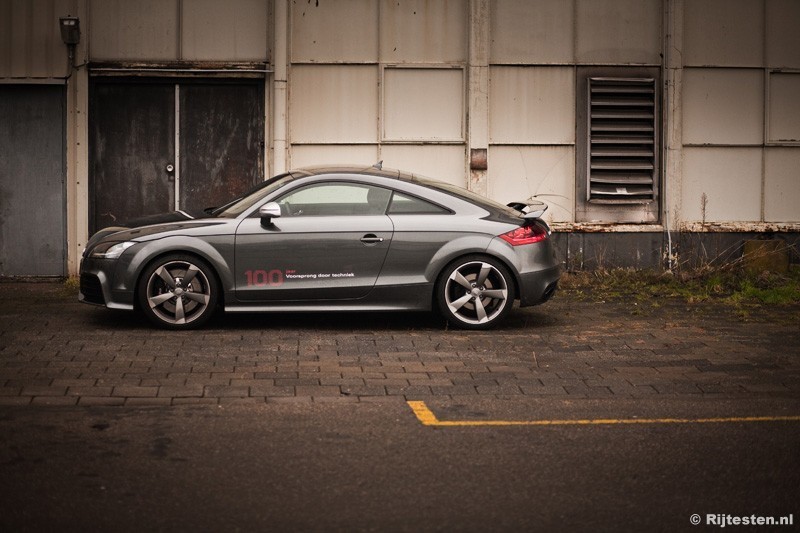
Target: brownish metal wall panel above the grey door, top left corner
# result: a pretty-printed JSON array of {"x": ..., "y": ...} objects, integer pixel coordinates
[{"x": 30, "y": 39}]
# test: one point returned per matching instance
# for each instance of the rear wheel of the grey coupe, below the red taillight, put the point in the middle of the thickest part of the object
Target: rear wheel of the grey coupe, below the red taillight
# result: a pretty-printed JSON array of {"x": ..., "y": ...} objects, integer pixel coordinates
[{"x": 475, "y": 292}]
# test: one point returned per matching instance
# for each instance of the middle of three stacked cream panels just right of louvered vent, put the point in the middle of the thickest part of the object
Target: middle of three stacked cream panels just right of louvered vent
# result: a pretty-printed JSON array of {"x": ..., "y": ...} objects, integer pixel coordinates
[{"x": 723, "y": 106}]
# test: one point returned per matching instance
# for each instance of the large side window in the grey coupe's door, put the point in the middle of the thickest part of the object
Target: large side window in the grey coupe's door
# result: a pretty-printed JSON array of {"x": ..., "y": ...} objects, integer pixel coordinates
[{"x": 335, "y": 199}]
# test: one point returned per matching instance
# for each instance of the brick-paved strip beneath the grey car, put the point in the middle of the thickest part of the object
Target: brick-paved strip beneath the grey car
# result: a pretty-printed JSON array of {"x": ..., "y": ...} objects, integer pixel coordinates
[{"x": 55, "y": 351}]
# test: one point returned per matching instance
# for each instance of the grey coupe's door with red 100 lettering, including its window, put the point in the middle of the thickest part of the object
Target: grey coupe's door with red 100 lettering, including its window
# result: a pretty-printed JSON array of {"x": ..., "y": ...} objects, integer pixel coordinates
[{"x": 329, "y": 243}]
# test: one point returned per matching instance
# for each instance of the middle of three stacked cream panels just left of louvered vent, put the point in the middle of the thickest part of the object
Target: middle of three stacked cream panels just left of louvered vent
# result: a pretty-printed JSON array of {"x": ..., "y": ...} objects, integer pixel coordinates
[{"x": 532, "y": 105}]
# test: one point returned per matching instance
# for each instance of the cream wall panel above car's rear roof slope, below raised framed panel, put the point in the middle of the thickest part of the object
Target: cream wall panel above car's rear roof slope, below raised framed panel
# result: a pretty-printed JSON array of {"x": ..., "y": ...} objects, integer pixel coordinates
[{"x": 442, "y": 162}]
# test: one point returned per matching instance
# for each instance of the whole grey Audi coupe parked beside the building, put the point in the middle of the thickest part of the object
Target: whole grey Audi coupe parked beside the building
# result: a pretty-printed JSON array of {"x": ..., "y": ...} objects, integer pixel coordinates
[{"x": 329, "y": 239}]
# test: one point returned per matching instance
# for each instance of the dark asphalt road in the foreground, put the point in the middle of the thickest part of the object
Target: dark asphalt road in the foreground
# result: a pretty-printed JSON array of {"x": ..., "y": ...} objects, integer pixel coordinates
[{"x": 376, "y": 467}]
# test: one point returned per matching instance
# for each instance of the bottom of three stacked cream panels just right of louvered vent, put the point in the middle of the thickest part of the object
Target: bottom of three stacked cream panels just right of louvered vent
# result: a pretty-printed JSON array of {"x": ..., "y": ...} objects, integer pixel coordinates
[{"x": 730, "y": 179}]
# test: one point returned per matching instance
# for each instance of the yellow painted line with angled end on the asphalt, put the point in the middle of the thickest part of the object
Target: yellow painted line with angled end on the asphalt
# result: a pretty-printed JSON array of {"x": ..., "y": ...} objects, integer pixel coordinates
[{"x": 427, "y": 418}]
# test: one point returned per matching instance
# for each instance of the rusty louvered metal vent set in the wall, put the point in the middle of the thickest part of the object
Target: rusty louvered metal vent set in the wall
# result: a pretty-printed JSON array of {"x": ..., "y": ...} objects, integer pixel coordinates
[{"x": 622, "y": 140}]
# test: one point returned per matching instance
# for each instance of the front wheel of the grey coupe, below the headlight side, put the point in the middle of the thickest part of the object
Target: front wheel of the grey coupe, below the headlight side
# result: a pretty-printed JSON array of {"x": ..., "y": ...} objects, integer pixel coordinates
[{"x": 178, "y": 292}]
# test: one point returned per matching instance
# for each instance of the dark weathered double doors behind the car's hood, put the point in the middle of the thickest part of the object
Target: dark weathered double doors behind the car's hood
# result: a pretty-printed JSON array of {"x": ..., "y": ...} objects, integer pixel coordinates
[{"x": 159, "y": 146}]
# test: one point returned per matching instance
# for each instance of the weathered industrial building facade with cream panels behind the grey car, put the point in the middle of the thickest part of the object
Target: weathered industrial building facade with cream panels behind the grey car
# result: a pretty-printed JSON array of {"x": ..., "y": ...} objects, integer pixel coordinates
[{"x": 644, "y": 124}]
